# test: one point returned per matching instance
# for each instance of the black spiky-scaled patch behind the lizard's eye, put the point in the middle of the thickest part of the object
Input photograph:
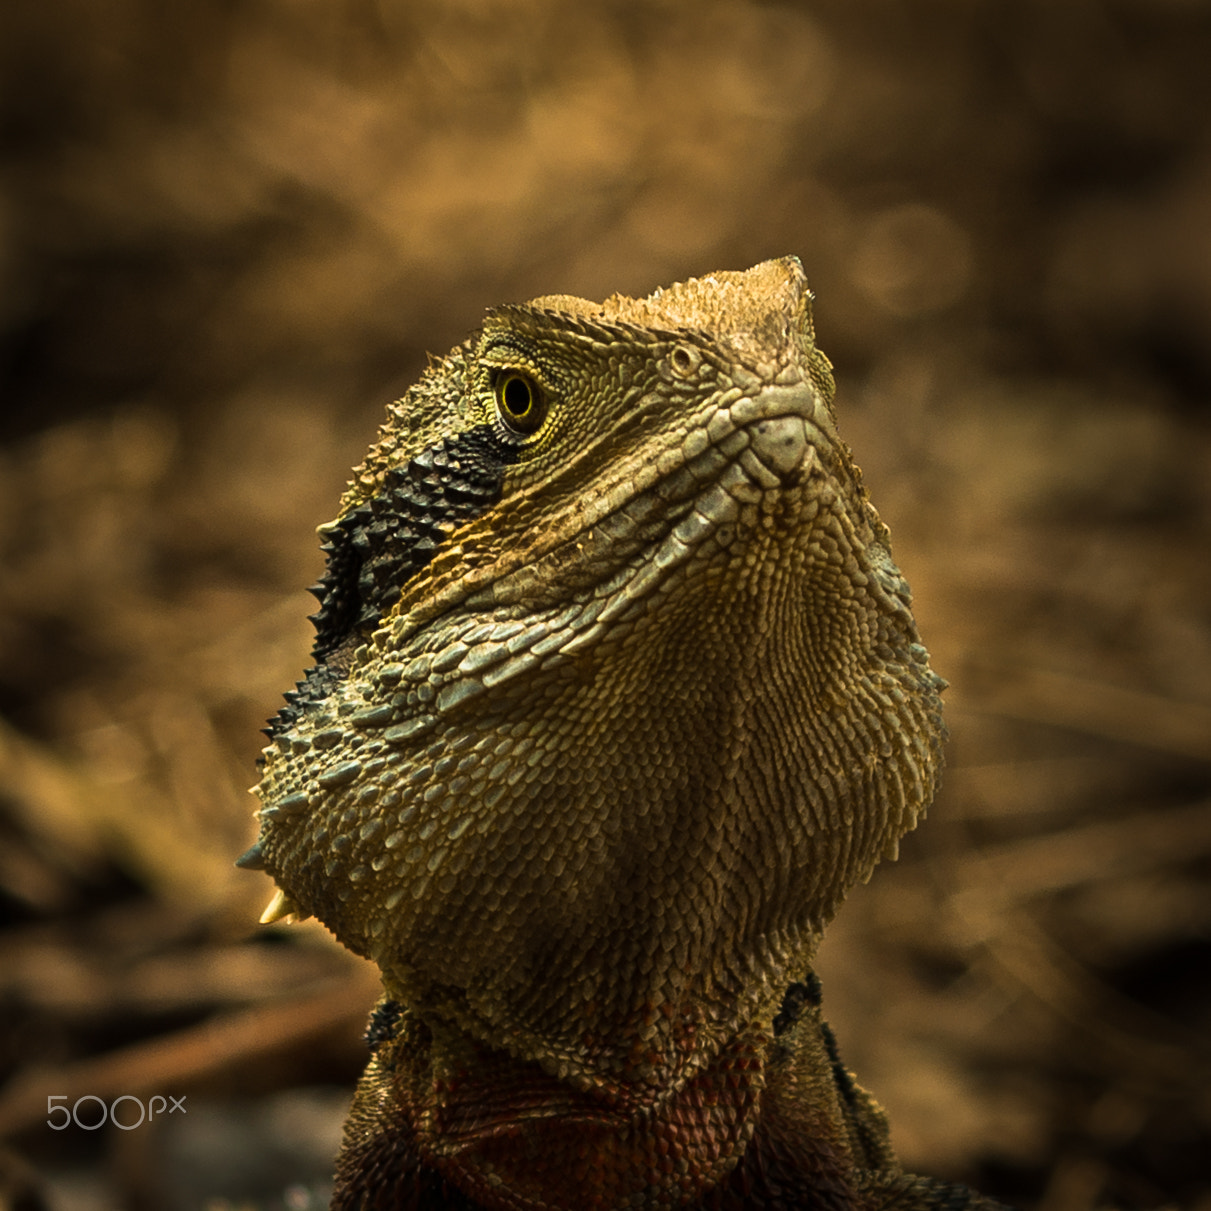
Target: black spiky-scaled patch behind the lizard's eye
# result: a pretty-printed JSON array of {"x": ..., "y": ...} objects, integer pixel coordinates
[{"x": 378, "y": 547}]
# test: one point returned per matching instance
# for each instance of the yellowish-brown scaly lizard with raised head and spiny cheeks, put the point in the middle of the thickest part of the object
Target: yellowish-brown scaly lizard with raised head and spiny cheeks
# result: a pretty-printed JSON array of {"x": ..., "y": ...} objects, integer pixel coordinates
[{"x": 617, "y": 693}]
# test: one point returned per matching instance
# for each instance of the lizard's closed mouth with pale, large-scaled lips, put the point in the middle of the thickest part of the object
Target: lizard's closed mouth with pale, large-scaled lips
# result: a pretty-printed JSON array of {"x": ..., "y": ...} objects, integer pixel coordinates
[{"x": 563, "y": 598}]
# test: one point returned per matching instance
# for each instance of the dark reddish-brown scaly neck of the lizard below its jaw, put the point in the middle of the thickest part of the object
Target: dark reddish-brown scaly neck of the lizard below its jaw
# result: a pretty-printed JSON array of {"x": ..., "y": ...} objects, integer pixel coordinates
[{"x": 443, "y": 1121}]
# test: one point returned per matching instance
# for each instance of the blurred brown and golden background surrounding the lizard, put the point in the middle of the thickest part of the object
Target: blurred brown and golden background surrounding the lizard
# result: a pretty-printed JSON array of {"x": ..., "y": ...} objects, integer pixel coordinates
[{"x": 231, "y": 231}]
